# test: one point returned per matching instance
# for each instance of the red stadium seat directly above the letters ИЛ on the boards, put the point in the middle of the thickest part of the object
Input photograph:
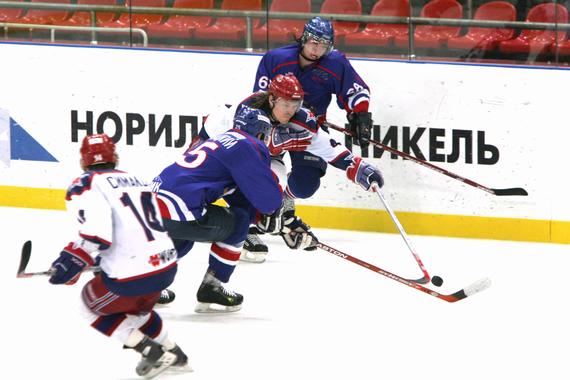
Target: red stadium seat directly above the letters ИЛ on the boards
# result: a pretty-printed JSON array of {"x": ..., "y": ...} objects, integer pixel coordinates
[{"x": 182, "y": 26}]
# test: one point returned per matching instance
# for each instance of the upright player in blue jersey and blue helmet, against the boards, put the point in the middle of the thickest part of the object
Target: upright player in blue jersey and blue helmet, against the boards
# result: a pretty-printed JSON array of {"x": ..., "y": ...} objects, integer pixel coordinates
[{"x": 322, "y": 72}]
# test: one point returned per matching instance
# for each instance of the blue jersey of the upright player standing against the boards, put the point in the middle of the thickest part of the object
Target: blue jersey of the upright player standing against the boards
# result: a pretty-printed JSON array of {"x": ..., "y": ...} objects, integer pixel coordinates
[{"x": 332, "y": 74}]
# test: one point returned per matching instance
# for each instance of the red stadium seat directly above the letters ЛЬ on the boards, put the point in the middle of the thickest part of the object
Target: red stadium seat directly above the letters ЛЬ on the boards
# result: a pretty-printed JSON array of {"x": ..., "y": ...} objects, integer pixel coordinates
[{"x": 487, "y": 38}]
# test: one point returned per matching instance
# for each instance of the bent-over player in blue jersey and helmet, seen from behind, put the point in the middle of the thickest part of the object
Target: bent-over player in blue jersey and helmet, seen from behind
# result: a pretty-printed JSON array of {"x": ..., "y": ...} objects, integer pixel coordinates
[{"x": 235, "y": 166}]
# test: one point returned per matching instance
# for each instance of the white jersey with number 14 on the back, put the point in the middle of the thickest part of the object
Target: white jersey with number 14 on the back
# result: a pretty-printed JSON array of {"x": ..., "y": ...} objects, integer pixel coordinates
[{"x": 118, "y": 213}]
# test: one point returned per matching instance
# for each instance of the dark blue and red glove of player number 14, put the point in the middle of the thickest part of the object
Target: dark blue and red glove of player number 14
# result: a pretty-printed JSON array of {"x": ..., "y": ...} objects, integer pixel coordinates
[{"x": 68, "y": 266}]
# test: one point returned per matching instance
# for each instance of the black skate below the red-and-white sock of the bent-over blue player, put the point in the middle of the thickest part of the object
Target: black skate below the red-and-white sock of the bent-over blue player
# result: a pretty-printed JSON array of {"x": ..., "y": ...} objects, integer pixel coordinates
[{"x": 214, "y": 298}]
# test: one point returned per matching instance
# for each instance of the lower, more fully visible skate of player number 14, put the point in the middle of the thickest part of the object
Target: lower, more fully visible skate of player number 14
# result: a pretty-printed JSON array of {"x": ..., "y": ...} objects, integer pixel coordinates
[{"x": 154, "y": 358}]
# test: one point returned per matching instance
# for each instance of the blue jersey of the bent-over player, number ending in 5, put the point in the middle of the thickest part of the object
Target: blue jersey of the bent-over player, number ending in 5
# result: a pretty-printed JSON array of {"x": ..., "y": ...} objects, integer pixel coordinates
[{"x": 214, "y": 168}]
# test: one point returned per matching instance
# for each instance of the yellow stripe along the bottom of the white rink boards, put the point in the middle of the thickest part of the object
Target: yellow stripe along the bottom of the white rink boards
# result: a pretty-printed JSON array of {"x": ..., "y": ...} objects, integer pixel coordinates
[{"x": 476, "y": 227}]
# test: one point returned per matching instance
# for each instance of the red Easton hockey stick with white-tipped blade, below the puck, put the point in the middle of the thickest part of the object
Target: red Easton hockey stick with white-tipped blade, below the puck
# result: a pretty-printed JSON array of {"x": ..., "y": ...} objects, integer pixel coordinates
[{"x": 468, "y": 291}]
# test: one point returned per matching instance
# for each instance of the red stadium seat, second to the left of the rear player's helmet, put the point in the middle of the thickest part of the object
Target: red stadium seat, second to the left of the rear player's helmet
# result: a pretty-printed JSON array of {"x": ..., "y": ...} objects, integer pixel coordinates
[{"x": 229, "y": 28}]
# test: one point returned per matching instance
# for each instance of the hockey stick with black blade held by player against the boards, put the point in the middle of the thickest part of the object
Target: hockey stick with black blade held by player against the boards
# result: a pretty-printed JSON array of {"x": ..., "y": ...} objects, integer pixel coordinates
[{"x": 509, "y": 191}]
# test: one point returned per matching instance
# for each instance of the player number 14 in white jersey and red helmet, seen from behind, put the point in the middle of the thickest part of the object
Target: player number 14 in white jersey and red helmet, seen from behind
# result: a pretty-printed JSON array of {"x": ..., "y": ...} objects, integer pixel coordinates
[{"x": 120, "y": 227}]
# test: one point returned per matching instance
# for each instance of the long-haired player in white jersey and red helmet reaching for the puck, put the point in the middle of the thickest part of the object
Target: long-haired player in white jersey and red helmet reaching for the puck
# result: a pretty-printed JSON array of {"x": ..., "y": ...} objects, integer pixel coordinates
[{"x": 298, "y": 132}]
